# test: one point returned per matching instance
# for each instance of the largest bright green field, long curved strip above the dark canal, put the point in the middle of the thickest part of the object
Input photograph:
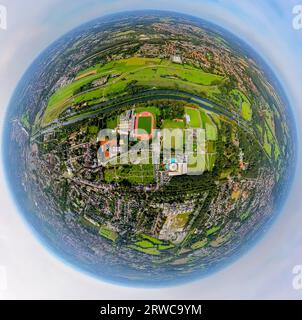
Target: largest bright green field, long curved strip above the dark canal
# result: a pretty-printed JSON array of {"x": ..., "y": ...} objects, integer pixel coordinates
[{"x": 147, "y": 72}]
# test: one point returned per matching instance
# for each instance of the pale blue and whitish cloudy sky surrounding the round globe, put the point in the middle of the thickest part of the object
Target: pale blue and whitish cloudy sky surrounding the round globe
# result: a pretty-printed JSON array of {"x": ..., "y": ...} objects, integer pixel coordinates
[{"x": 266, "y": 271}]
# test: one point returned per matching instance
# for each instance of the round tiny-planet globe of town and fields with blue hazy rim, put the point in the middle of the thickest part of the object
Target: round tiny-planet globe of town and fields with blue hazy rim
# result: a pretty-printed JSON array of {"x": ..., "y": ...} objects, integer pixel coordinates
[{"x": 149, "y": 148}]
